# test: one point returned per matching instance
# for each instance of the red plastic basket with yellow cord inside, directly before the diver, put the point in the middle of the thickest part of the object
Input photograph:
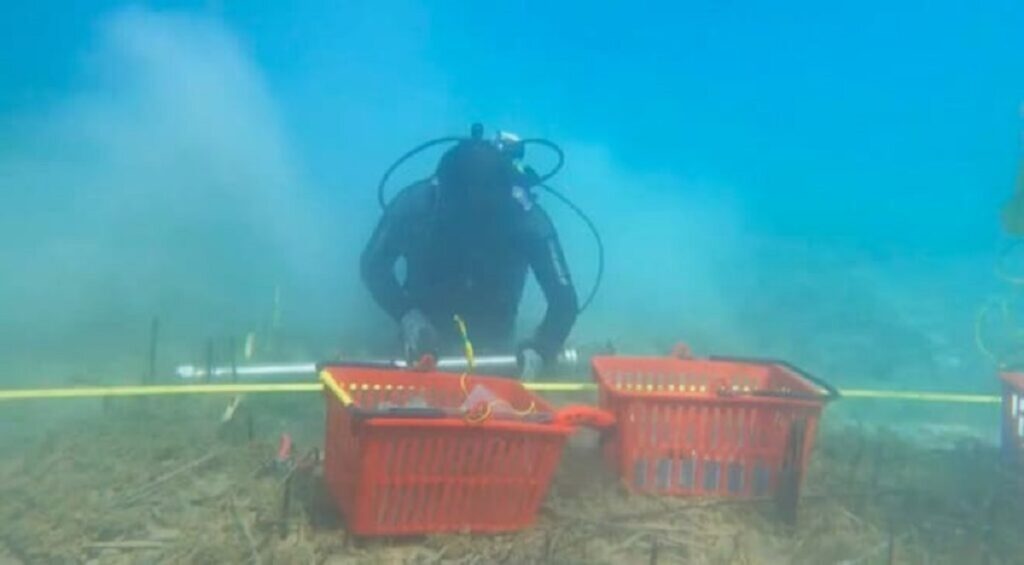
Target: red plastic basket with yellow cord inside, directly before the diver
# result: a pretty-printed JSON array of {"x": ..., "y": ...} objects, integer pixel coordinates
[{"x": 401, "y": 460}]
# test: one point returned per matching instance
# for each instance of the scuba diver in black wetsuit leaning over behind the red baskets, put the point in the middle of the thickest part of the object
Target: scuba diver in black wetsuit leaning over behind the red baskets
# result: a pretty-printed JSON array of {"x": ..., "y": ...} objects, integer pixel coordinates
[{"x": 470, "y": 235}]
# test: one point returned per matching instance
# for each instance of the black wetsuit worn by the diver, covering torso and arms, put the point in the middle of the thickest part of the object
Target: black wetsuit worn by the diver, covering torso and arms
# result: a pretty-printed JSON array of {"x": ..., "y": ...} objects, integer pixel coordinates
[{"x": 462, "y": 264}]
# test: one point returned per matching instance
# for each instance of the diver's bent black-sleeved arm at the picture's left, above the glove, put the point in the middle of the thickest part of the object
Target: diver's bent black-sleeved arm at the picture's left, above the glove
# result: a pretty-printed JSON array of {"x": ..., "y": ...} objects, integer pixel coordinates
[{"x": 377, "y": 266}]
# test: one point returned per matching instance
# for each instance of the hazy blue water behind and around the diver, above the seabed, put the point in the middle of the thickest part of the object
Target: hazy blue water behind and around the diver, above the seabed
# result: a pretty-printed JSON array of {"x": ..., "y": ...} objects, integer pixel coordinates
[{"x": 820, "y": 183}]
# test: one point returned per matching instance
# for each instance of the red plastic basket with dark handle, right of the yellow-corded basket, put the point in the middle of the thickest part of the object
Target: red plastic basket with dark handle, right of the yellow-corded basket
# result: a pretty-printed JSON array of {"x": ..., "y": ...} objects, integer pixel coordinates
[{"x": 708, "y": 427}]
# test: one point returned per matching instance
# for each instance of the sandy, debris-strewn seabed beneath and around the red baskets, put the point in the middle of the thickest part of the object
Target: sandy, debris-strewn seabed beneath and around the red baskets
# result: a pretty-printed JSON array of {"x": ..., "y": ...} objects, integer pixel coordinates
[{"x": 163, "y": 482}]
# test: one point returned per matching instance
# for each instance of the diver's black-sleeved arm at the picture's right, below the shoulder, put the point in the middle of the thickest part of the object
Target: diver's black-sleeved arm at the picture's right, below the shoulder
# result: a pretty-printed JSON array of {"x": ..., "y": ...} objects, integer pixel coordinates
[{"x": 549, "y": 268}]
